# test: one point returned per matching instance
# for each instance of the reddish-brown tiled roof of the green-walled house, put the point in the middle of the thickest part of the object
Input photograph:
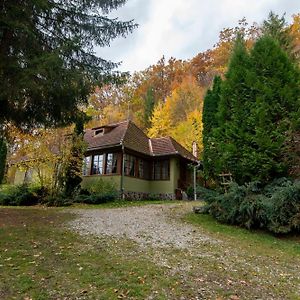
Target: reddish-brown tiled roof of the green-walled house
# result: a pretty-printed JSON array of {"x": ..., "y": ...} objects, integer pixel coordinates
[{"x": 132, "y": 137}]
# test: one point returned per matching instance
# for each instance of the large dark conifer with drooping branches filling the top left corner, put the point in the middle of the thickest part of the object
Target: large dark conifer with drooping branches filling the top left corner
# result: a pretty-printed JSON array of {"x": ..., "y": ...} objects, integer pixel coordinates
[{"x": 47, "y": 63}]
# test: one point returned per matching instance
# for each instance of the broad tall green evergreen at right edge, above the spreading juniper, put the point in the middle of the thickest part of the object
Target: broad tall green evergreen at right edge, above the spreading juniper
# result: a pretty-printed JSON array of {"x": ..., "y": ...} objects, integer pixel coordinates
[{"x": 276, "y": 113}]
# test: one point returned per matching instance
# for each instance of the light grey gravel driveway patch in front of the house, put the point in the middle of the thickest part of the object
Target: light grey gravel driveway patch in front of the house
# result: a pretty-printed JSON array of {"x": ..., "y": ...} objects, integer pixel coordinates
[{"x": 153, "y": 225}]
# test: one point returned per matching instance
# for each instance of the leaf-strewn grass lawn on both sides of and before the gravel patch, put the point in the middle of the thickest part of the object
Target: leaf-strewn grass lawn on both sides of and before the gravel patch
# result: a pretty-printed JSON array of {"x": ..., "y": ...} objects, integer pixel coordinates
[{"x": 40, "y": 258}]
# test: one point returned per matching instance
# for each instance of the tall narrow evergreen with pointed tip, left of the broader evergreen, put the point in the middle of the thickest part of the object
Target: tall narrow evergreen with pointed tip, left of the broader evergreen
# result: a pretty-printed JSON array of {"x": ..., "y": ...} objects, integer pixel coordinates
[{"x": 233, "y": 113}]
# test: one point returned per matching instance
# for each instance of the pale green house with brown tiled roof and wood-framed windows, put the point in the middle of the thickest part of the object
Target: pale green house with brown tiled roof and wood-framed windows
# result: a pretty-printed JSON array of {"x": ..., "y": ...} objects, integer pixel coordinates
[{"x": 138, "y": 165}]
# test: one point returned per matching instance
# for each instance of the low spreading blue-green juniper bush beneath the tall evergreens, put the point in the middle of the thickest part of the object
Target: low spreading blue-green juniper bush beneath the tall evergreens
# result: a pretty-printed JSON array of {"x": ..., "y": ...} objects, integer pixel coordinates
[{"x": 275, "y": 207}]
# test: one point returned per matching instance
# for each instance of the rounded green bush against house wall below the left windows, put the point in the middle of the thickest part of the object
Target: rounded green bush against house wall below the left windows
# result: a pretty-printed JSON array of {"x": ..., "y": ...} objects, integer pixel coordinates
[{"x": 97, "y": 191}]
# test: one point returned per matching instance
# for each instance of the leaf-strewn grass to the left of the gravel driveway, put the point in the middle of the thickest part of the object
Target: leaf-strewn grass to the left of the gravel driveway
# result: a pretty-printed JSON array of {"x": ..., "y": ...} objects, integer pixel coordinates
[{"x": 42, "y": 260}]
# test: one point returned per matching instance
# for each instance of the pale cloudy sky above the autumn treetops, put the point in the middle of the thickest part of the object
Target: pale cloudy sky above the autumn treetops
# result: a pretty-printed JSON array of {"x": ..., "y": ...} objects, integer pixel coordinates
[{"x": 183, "y": 28}]
